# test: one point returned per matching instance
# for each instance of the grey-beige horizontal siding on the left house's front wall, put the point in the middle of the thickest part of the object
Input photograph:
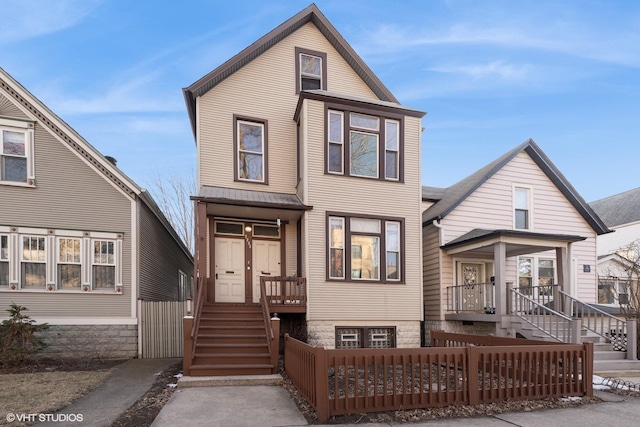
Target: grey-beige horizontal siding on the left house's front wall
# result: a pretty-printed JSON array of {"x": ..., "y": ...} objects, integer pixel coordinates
[{"x": 68, "y": 195}]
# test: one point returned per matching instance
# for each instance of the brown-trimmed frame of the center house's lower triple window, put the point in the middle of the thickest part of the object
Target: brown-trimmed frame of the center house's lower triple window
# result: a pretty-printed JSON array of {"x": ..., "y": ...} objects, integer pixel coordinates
[{"x": 346, "y": 260}]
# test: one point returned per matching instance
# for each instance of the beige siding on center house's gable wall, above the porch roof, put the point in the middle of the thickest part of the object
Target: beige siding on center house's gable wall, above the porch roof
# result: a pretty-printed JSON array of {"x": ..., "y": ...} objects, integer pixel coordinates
[{"x": 265, "y": 89}]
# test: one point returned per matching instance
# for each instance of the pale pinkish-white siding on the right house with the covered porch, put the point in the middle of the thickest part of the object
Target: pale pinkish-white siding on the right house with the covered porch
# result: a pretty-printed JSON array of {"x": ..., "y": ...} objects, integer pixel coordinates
[{"x": 491, "y": 207}]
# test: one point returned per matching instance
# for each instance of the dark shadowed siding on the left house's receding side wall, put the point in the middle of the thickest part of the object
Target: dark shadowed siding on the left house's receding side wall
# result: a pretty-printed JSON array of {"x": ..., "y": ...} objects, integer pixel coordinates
[{"x": 160, "y": 259}]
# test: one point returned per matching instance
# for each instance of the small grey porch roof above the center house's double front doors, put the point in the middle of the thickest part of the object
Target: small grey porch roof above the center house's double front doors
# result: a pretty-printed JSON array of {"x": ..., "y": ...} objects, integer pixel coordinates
[{"x": 251, "y": 203}]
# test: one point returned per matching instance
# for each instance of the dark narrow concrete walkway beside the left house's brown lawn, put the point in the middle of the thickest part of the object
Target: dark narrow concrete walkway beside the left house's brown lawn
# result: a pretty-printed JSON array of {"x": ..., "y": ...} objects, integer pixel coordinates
[{"x": 126, "y": 384}]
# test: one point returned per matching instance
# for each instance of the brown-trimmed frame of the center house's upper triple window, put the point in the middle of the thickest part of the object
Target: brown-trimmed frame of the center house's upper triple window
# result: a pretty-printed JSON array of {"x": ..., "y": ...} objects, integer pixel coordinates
[{"x": 383, "y": 149}]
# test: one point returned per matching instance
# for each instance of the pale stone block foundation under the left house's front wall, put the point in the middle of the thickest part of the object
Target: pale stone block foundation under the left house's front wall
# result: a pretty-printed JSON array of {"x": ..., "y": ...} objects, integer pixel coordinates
[{"x": 91, "y": 341}]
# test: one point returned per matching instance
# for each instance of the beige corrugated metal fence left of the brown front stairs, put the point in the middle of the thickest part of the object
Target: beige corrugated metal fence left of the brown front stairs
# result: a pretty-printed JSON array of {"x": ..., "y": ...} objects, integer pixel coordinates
[{"x": 161, "y": 333}]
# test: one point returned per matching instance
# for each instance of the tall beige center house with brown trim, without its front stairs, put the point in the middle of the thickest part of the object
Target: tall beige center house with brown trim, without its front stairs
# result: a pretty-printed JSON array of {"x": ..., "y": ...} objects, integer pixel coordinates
[{"x": 308, "y": 167}]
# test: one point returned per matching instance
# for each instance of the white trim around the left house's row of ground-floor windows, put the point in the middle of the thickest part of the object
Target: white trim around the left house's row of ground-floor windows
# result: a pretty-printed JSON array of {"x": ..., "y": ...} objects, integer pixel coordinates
[{"x": 51, "y": 258}]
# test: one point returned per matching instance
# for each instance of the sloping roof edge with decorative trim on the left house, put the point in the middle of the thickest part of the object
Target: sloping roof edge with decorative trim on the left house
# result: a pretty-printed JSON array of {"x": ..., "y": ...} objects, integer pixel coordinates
[{"x": 75, "y": 142}]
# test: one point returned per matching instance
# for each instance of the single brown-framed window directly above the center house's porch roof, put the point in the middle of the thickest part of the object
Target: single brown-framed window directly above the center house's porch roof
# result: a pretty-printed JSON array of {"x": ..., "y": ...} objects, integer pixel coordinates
[{"x": 250, "y": 145}]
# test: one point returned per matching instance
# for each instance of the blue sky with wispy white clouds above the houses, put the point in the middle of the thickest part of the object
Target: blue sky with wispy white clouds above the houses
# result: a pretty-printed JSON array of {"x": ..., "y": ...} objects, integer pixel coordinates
[{"x": 490, "y": 74}]
